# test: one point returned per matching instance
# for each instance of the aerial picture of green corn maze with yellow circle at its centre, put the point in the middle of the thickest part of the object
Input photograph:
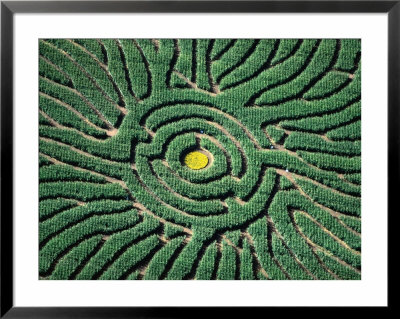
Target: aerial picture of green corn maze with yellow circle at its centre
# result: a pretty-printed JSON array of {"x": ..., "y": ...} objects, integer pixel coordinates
[{"x": 204, "y": 159}]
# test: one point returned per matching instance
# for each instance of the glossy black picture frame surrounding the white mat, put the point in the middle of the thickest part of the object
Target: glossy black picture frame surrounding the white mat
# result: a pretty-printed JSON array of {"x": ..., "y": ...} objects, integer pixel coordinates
[{"x": 9, "y": 8}]
